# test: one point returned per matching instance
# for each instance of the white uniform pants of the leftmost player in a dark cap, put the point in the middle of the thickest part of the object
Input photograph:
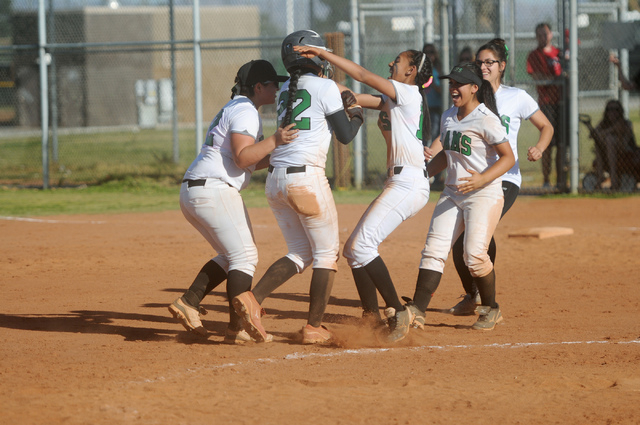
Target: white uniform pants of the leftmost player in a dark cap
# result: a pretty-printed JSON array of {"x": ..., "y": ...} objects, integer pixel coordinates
[{"x": 218, "y": 212}]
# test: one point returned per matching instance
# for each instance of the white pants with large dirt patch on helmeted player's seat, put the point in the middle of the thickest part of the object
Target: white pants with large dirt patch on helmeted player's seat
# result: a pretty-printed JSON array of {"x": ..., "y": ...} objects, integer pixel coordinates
[{"x": 303, "y": 205}]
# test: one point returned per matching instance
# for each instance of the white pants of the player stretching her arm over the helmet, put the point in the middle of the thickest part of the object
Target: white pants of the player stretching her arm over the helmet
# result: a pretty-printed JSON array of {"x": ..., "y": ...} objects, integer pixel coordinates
[{"x": 403, "y": 196}]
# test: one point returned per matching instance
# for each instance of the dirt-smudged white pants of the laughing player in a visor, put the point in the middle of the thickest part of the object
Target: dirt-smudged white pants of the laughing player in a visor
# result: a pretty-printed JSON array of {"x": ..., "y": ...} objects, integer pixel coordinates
[{"x": 477, "y": 214}]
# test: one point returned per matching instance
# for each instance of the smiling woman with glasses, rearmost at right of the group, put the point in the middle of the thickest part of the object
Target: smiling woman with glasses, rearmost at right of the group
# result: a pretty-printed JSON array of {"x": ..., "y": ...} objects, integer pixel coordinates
[{"x": 514, "y": 106}]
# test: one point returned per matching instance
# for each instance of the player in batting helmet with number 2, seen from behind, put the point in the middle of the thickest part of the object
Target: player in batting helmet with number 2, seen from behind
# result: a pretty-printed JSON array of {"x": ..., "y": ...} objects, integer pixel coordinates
[{"x": 298, "y": 190}]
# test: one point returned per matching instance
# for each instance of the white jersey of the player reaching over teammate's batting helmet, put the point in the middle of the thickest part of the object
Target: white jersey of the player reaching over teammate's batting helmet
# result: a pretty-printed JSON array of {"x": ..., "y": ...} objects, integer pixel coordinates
[{"x": 405, "y": 116}]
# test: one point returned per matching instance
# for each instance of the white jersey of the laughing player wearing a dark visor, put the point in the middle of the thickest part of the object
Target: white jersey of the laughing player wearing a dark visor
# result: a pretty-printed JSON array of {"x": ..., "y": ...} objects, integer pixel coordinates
[{"x": 468, "y": 144}]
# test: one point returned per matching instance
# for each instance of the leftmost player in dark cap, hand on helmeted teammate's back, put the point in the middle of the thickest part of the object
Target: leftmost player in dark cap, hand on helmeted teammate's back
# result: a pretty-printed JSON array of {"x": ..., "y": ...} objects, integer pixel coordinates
[{"x": 210, "y": 198}]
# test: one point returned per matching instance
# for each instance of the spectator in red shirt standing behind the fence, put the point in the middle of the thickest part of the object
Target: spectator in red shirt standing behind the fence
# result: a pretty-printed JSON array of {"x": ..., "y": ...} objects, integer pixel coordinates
[{"x": 543, "y": 63}]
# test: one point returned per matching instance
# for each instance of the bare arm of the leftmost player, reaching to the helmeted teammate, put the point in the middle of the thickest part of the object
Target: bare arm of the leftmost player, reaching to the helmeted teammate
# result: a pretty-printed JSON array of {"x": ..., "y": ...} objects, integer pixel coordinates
[{"x": 247, "y": 153}]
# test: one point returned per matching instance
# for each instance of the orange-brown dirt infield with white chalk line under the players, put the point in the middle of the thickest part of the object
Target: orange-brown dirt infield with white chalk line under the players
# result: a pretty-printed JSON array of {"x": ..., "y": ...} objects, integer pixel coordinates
[{"x": 86, "y": 337}]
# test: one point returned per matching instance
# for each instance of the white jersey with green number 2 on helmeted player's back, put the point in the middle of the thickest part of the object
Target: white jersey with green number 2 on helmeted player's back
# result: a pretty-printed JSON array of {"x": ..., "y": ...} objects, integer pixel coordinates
[{"x": 316, "y": 98}]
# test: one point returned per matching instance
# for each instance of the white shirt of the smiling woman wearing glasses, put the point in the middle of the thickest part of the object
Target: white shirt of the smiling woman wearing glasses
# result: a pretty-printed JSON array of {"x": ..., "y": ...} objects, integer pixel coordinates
[{"x": 514, "y": 106}]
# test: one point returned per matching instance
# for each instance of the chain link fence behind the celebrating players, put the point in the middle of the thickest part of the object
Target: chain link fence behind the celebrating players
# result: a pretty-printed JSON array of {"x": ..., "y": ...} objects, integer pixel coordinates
[{"x": 121, "y": 81}]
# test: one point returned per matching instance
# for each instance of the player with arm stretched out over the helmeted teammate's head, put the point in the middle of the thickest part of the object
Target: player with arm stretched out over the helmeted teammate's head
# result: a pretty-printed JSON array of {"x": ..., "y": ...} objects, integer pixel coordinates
[{"x": 404, "y": 121}]
